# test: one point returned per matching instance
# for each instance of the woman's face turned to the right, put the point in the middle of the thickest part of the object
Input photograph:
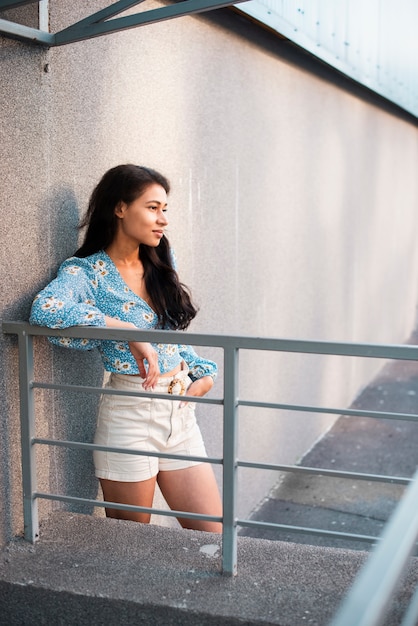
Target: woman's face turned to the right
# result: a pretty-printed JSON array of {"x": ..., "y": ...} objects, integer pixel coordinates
[{"x": 143, "y": 221}]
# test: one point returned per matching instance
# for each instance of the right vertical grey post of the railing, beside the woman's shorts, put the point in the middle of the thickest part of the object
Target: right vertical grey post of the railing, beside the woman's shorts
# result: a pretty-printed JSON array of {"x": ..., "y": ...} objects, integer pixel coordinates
[{"x": 230, "y": 481}]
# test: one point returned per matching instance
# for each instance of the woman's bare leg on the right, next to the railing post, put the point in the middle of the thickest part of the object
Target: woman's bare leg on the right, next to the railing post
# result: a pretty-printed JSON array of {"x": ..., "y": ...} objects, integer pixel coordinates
[{"x": 193, "y": 489}]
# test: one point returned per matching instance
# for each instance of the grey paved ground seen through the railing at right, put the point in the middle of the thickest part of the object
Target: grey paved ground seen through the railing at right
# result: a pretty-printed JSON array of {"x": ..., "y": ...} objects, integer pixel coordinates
[{"x": 375, "y": 446}]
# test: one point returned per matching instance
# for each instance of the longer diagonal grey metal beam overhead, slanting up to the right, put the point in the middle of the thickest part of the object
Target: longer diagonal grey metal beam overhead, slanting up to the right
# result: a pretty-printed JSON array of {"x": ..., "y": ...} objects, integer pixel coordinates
[{"x": 87, "y": 29}]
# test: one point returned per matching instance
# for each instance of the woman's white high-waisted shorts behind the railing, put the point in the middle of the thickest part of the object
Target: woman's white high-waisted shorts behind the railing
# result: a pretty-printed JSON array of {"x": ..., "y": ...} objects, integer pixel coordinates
[{"x": 146, "y": 424}]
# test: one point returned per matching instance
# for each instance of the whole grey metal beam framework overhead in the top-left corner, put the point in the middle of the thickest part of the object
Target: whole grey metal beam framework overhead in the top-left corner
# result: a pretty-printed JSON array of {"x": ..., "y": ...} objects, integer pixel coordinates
[{"x": 99, "y": 23}]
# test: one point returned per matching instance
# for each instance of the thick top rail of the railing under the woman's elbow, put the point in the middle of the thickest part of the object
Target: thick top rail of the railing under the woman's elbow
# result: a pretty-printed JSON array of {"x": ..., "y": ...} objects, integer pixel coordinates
[{"x": 399, "y": 352}]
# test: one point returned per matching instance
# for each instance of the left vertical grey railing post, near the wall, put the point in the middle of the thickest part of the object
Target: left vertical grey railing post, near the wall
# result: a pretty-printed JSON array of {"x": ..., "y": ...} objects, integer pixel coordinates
[{"x": 27, "y": 433}]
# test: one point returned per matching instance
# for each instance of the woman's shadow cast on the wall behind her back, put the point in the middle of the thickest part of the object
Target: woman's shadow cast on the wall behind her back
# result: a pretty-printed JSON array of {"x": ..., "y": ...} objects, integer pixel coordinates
[{"x": 69, "y": 415}]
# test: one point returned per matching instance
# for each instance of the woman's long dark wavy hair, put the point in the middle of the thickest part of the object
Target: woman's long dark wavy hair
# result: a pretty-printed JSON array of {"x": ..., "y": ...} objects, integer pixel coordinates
[{"x": 125, "y": 183}]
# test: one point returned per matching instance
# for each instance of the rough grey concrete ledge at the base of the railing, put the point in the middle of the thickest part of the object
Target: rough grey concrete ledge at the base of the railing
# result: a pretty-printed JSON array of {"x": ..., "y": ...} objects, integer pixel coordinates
[{"x": 85, "y": 570}]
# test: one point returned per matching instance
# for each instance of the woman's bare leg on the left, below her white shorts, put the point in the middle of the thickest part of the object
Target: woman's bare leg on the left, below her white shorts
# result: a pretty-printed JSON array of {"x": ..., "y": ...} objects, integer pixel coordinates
[{"x": 138, "y": 493}]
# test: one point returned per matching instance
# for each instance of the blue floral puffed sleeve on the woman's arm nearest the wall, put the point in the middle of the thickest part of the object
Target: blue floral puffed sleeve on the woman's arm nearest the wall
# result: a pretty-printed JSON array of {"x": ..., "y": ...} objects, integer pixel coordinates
[{"x": 69, "y": 300}]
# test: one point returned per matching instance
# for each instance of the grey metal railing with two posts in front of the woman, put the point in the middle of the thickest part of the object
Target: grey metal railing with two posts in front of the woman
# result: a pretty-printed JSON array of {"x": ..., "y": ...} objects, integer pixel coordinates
[{"x": 231, "y": 346}]
